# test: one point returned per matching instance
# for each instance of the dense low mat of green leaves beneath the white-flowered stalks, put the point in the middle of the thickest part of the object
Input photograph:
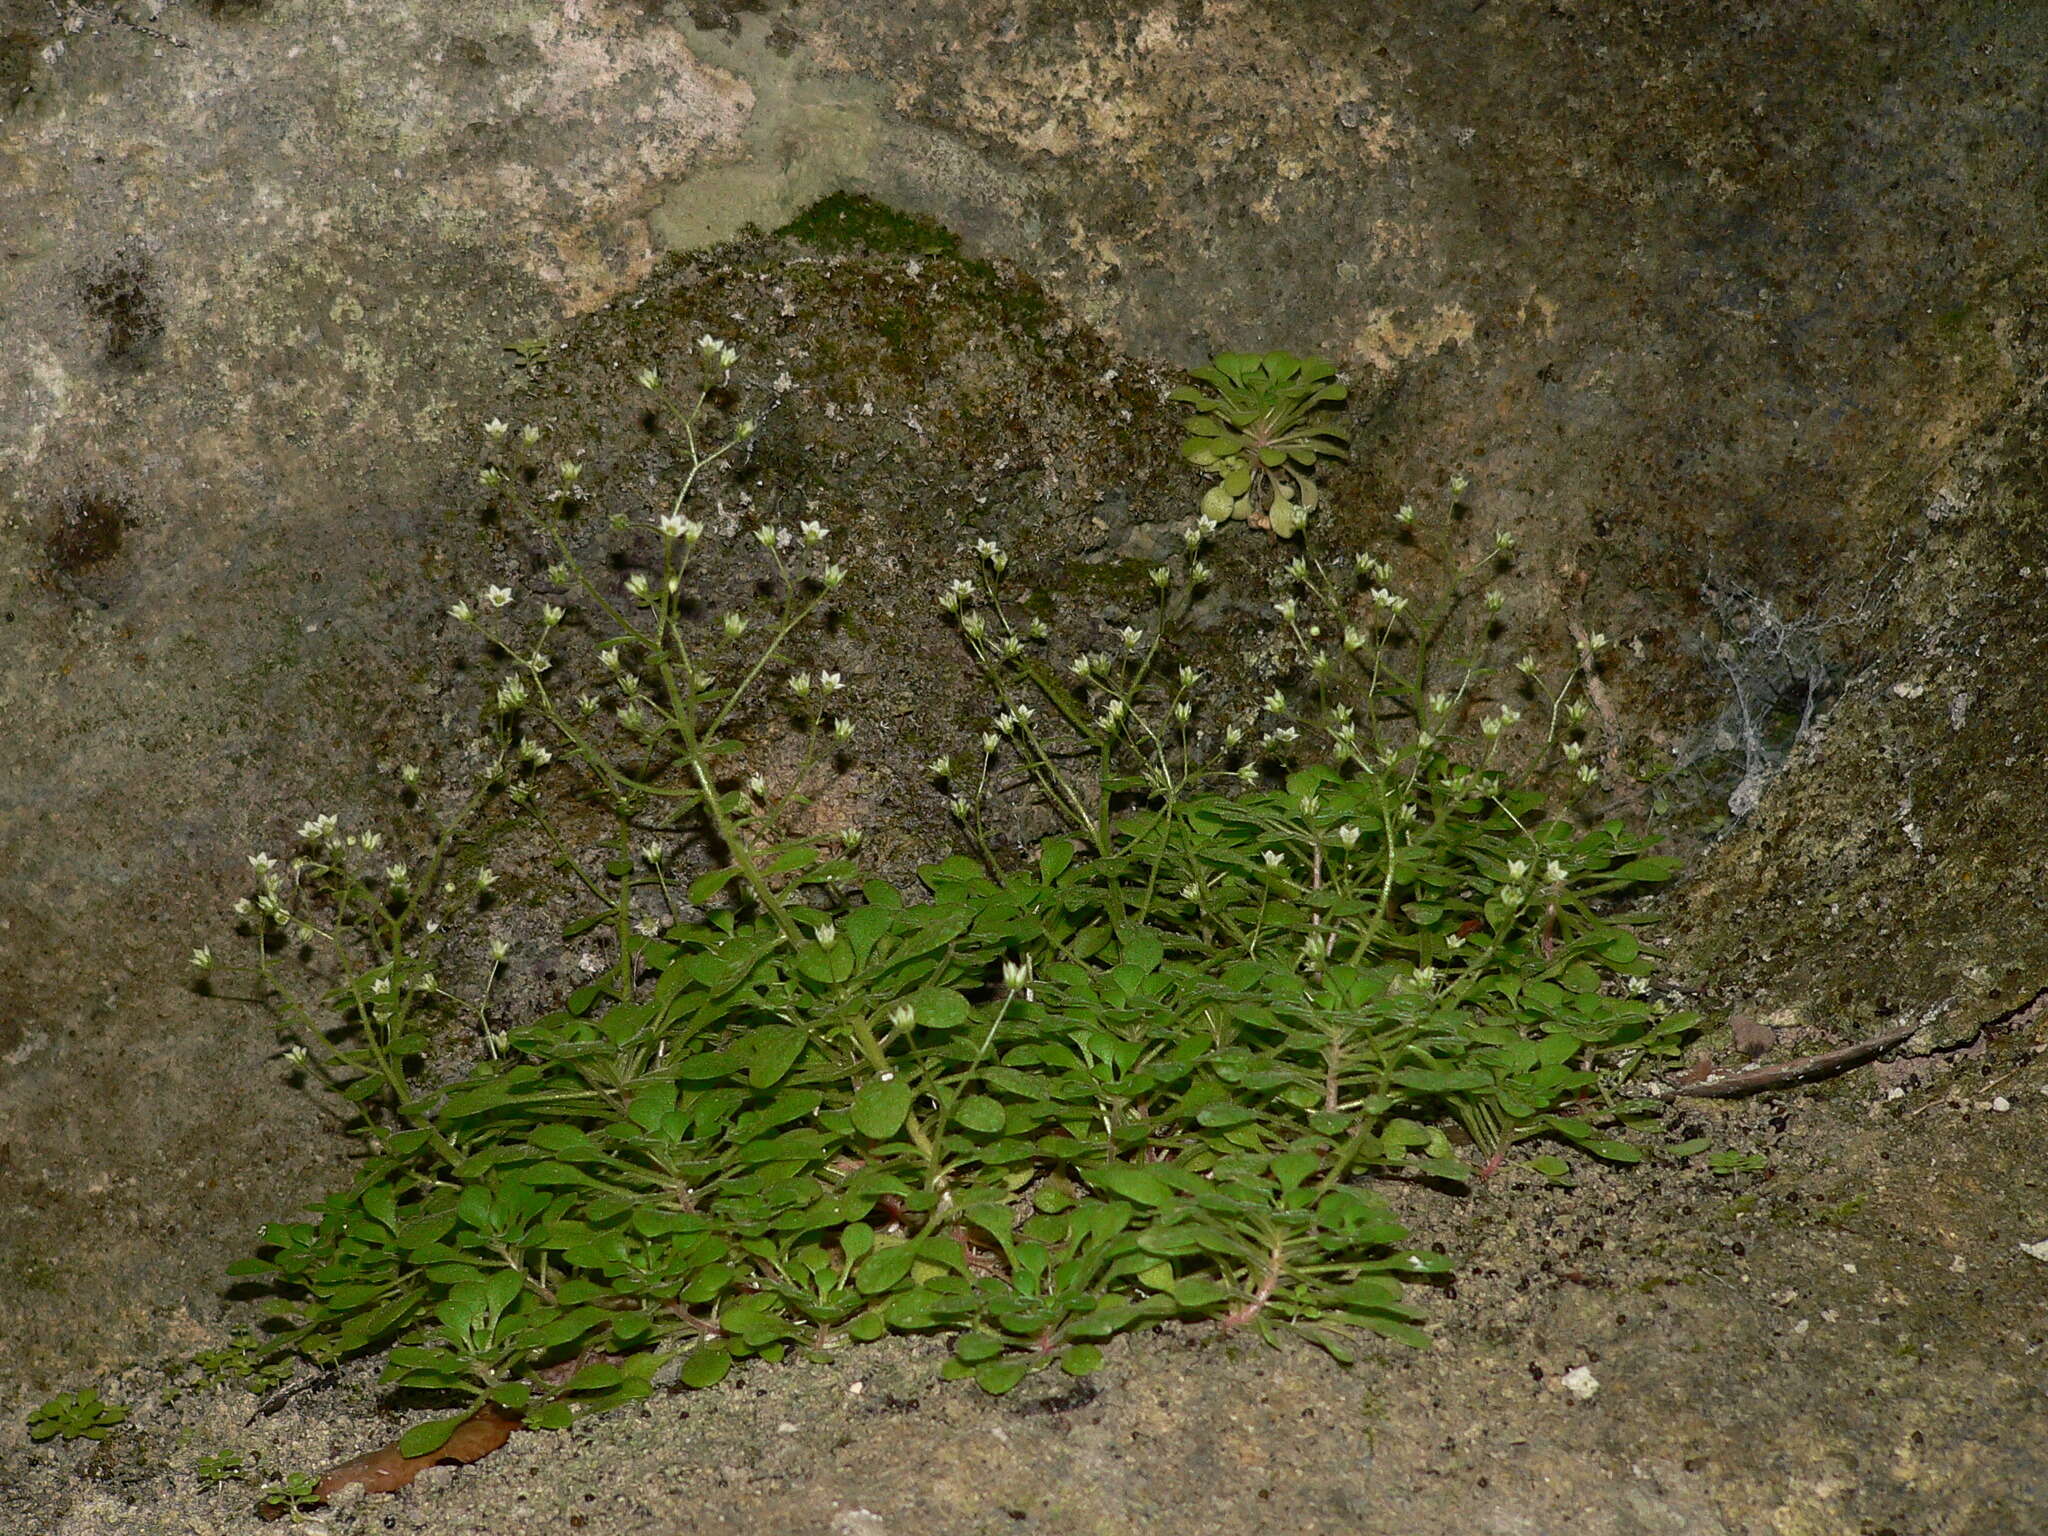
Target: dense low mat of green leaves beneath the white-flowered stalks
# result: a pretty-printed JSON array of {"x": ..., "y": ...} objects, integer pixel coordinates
[{"x": 1031, "y": 1113}]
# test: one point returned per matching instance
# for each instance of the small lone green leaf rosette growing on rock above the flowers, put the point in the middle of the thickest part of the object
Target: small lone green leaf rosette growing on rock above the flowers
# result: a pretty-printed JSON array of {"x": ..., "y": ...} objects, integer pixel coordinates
[{"x": 1265, "y": 425}]
